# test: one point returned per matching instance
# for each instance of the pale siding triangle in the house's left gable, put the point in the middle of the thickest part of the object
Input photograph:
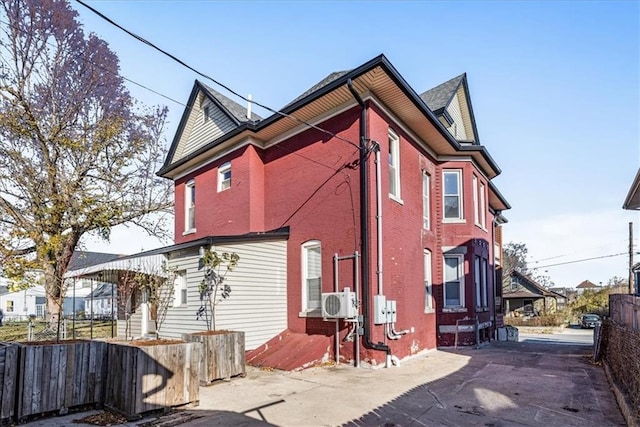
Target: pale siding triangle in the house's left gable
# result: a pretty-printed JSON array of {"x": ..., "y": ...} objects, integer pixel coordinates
[{"x": 197, "y": 132}]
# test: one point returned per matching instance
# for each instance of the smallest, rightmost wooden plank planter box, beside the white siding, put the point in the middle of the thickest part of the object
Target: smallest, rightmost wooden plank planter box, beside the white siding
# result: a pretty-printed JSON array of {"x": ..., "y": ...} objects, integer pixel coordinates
[{"x": 223, "y": 354}]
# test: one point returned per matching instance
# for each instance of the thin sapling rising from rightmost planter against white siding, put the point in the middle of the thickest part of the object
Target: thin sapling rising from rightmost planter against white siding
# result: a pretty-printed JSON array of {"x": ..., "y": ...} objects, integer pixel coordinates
[{"x": 213, "y": 288}]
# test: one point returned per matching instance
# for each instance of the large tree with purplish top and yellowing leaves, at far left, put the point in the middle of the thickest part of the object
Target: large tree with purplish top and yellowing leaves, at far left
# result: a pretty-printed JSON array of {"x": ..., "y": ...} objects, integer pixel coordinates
[{"x": 76, "y": 154}]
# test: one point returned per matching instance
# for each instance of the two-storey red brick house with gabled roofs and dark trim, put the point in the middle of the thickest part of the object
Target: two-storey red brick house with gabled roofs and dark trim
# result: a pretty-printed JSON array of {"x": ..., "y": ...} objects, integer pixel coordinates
[{"x": 365, "y": 184}]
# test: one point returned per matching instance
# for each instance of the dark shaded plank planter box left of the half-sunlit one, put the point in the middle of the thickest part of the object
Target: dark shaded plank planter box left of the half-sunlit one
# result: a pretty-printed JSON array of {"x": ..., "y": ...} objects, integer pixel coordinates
[{"x": 58, "y": 376}]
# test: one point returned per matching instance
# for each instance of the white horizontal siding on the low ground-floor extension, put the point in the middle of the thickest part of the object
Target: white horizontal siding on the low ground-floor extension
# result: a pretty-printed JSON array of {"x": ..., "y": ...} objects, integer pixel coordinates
[{"x": 258, "y": 301}]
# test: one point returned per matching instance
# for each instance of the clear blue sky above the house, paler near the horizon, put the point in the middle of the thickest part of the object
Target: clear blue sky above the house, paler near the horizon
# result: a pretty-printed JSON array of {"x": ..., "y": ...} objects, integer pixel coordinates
[{"x": 554, "y": 85}]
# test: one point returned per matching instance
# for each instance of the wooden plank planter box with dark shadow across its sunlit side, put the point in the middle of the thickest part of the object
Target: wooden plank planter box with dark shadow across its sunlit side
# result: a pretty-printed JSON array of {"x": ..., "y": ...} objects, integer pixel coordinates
[{"x": 145, "y": 377}]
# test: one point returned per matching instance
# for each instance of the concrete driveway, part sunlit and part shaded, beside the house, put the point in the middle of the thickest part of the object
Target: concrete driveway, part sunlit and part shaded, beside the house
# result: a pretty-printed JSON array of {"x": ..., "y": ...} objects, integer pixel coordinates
[{"x": 527, "y": 383}]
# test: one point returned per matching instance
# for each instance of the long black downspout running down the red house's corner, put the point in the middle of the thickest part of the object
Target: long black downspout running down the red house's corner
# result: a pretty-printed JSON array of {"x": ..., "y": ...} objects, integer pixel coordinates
[{"x": 364, "y": 228}]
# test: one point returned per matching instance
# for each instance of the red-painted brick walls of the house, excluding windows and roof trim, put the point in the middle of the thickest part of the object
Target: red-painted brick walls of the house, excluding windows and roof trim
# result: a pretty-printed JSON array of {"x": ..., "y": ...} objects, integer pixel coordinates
[{"x": 311, "y": 184}]
